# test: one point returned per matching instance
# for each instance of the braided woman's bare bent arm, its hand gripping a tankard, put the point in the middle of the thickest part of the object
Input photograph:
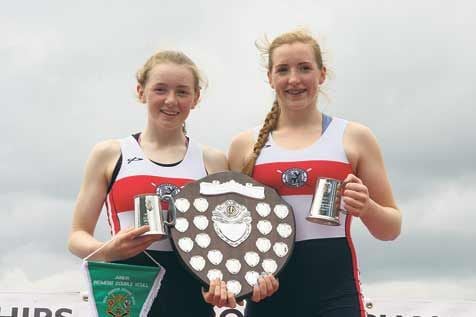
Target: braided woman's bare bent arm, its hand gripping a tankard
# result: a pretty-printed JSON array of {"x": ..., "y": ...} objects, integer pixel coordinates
[{"x": 368, "y": 193}]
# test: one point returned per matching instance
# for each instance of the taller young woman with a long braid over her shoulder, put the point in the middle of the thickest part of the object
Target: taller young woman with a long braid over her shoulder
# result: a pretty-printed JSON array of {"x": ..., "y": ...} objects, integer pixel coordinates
[{"x": 296, "y": 145}]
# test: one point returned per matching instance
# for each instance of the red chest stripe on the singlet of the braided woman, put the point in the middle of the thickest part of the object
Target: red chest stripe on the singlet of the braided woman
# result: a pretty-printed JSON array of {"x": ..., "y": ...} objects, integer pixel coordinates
[{"x": 271, "y": 174}]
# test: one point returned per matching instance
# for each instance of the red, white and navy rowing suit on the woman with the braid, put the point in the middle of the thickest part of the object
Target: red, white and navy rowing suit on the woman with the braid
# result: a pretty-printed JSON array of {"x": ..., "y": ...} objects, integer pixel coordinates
[{"x": 323, "y": 259}]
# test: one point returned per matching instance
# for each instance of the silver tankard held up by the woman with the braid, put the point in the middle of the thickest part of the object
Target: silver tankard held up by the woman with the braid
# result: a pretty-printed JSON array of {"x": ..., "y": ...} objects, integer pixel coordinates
[{"x": 326, "y": 203}]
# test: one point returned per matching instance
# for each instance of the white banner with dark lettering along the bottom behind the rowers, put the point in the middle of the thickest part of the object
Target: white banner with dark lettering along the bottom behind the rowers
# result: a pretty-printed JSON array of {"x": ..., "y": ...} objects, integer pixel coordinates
[{"x": 61, "y": 304}]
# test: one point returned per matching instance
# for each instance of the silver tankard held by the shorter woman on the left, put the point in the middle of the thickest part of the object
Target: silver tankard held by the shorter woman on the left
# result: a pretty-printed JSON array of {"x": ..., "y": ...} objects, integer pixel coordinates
[{"x": 148, "y": 211}]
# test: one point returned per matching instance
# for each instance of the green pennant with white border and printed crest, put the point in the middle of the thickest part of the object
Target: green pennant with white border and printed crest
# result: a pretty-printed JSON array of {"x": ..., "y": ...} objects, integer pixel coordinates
[{"x": 122, "y": 290}]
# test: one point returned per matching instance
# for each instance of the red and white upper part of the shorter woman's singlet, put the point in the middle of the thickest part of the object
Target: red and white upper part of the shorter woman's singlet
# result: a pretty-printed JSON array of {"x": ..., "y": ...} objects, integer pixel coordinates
[{"x": 138, "y": 175}]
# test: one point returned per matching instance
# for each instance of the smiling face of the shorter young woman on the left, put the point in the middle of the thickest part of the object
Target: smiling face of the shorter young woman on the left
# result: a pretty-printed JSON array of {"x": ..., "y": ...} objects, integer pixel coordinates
[{"x": 169, "y": 94}]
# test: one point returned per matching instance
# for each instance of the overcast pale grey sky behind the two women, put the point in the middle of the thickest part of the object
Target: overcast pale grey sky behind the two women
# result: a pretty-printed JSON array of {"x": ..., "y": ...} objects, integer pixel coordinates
[{"x": 405, "y": 69}]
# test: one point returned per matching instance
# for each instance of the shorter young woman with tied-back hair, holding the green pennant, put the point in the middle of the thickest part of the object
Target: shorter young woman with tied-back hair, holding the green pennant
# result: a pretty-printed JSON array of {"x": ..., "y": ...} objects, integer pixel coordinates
[{"x": 160, "y": 159}]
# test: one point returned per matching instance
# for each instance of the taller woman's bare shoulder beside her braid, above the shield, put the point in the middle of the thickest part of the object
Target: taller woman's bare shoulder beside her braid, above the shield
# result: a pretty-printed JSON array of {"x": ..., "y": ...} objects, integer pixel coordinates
[{"x": 240, "y": 149}]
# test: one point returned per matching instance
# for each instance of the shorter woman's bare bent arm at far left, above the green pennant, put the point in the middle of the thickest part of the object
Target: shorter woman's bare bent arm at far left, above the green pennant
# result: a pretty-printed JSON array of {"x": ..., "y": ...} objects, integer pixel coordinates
[{"x": 88, "y": 207}]
